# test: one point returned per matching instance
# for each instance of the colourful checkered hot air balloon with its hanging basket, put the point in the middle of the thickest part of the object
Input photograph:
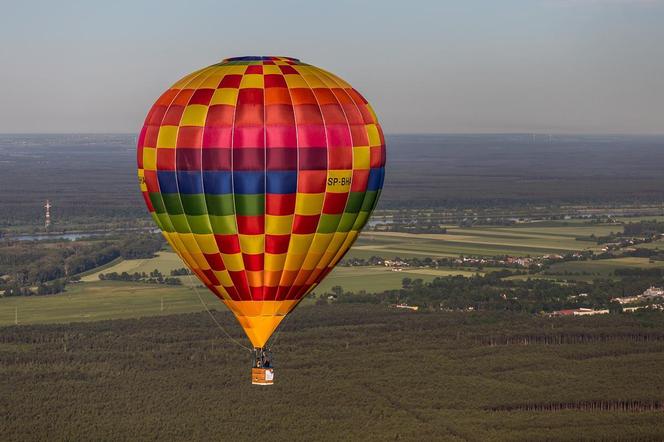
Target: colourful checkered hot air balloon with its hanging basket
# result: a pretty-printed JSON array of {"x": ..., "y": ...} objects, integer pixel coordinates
[{"x": 261, "y": 172}]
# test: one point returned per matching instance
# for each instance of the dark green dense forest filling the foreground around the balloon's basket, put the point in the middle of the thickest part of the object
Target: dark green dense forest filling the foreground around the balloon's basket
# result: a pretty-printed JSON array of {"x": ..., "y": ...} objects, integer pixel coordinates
[{"x": 342, "y": 373}]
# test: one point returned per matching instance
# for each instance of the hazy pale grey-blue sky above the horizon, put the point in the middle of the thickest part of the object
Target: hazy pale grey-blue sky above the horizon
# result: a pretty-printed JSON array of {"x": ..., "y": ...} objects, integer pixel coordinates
[{"x": 426, "y": 66}]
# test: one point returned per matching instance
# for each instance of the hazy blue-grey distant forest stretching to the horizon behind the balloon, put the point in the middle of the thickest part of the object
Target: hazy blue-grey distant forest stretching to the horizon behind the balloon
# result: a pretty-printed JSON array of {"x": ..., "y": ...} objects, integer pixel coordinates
[{"x": 520, "y": 172}]
